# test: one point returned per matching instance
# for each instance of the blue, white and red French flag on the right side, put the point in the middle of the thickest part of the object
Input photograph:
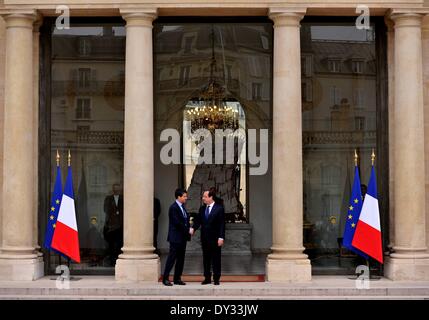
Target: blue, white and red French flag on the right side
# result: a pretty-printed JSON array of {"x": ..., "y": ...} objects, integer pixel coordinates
[{"x": 367, "y": 237}]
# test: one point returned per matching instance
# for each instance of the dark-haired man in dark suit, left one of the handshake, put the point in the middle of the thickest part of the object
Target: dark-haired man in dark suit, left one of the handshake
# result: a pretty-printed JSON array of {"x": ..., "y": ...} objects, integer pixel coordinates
[{"x": 178, "y": 235}]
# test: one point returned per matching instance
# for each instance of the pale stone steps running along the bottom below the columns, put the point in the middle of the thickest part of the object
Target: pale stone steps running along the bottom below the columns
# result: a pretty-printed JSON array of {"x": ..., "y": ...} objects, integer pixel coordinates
[{"x": 321, "y": 287}]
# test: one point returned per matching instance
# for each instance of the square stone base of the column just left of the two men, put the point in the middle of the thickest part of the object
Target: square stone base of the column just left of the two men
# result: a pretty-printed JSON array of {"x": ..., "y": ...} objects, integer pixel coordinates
[{"x": 148, "y": 270}]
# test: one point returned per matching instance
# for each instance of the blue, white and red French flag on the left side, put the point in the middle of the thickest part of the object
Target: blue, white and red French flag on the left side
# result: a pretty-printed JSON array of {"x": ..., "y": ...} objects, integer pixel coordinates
[{"x": 66, "y": 238}]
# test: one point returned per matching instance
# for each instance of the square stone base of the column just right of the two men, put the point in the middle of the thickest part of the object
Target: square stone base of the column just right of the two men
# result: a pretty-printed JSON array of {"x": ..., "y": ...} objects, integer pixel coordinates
[{"x": 298, "y": 270}]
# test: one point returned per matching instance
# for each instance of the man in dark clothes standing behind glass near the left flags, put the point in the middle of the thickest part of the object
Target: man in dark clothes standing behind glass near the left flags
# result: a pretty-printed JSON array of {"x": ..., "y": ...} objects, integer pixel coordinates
[{"x": 114, "y": 224}]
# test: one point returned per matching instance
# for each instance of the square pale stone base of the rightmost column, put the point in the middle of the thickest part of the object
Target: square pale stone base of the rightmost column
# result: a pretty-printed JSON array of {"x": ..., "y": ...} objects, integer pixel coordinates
[{"x": 406, "y": 269}]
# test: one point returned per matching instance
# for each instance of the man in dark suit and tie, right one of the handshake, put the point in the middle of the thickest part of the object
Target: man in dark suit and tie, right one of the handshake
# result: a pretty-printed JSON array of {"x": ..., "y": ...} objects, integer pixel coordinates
[{"x": 211, "y": 219}]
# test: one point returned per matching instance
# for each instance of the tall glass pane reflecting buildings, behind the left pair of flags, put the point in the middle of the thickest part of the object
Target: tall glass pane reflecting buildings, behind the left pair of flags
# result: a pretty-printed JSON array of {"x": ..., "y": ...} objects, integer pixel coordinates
[{"x": 87, "y": 117}]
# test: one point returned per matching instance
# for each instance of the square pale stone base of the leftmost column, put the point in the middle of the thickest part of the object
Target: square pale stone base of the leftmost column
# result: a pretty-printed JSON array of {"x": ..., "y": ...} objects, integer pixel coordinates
[{"x": 21, "y": 269}]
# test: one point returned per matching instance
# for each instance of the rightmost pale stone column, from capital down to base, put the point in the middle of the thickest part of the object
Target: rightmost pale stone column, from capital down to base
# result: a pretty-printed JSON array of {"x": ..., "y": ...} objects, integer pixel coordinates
[{"x": 409, "y": 260}]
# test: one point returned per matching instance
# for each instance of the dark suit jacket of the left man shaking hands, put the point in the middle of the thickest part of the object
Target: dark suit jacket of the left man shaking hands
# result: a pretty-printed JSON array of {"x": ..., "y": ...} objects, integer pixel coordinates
[{"x": 178, "y": 226}]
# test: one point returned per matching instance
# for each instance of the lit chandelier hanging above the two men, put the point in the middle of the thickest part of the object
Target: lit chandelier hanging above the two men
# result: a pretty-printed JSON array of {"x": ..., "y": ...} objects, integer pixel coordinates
[{"x": 212, "y": 109}]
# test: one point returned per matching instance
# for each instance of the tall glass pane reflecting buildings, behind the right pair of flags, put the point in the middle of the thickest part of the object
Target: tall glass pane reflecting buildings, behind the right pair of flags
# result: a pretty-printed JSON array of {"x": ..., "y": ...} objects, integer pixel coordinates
[{"x": 339, "y": 115}]
